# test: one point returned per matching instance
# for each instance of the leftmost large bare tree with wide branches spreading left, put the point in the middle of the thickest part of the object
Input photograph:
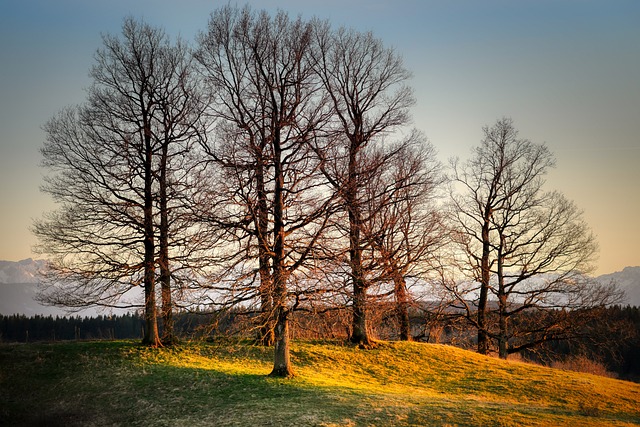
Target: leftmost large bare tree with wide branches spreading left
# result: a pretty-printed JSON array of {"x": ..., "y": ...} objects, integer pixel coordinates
[{"x": 110, "y": 173}]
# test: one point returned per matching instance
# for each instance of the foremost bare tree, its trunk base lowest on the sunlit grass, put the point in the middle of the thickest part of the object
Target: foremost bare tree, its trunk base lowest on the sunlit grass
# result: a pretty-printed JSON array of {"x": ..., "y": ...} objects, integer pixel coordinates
[{"x": 266, "y": 98}]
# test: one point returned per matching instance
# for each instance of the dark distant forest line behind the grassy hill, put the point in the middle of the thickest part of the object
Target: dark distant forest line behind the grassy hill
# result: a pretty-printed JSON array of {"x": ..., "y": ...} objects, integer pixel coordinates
[{"x": 611, "y": 341}]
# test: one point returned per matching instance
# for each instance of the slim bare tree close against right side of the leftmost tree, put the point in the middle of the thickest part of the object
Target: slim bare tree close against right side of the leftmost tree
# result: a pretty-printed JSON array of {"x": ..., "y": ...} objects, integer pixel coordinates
[{"x": 180, "y": 111}]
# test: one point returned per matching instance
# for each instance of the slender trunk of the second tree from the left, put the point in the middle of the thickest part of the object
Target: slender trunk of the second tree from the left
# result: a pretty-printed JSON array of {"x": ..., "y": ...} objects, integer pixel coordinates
[{"x": 163, "y": 258}]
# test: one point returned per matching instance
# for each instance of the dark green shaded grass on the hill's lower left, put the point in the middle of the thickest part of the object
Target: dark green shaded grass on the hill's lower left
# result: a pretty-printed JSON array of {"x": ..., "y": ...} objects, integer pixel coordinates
[{"x": 89, "y": 384}]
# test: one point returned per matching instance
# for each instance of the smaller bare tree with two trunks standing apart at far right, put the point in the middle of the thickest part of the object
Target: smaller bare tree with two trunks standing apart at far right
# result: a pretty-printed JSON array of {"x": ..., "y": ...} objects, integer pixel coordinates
[{"x": 527, "y": 247}]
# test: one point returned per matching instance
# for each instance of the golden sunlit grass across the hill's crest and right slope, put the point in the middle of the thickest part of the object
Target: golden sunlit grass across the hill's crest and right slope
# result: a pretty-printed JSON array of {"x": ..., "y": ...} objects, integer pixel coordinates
[{"x": 399, "y": 378}]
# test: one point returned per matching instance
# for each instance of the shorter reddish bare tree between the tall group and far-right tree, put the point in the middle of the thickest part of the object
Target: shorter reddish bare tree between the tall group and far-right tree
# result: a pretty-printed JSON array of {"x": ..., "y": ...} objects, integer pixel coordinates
[{"x": 404, "y": 226}]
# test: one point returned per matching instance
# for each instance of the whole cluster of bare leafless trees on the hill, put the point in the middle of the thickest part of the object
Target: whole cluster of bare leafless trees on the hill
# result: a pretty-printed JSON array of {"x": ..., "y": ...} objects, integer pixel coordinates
[{"x": 271, "y": 167}]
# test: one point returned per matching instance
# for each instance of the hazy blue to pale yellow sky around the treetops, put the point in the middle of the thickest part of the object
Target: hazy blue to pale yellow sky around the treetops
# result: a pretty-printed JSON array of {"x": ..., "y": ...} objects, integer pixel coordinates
[{"x": 567, "y": 72}]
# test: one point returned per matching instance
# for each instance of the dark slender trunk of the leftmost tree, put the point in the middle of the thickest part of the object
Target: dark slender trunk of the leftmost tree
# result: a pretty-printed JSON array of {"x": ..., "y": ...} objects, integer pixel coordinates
[{"x": 151, "y": 336}]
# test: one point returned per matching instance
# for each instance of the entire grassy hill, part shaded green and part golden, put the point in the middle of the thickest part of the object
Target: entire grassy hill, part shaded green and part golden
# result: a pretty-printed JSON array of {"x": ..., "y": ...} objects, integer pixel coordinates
[{"x": 396, "y": 384}]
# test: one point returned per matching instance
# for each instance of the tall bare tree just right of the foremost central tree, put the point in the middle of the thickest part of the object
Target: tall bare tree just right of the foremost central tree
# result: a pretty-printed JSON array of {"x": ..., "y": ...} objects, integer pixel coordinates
[{"x": 366, "y": 85}]
